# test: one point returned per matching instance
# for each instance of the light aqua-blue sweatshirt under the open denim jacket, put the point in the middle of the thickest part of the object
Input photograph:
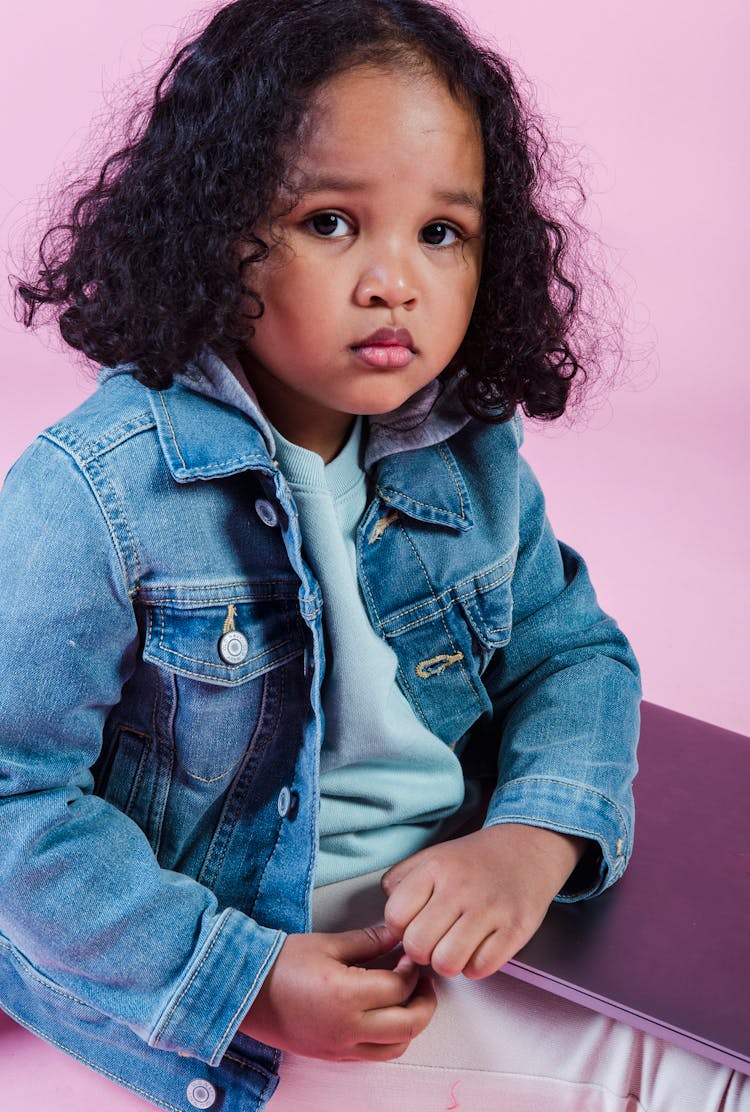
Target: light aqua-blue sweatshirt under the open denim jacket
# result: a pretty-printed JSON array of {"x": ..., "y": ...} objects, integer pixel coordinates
[{"x": 389, "y": 787}]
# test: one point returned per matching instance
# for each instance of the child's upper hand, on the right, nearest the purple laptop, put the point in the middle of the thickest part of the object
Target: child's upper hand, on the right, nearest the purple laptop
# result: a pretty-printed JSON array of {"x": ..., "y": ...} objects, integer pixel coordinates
[{"x": 469, "y": 906}]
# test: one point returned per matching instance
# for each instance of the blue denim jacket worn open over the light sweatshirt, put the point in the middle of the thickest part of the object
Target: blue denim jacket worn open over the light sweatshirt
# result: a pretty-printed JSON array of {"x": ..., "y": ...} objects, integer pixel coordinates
[{"x": 161, "y": 713}]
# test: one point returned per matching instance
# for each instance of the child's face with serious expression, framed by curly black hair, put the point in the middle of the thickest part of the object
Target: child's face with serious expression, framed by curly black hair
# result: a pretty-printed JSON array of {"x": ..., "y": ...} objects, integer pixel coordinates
[{"x": 371, "y": 291}]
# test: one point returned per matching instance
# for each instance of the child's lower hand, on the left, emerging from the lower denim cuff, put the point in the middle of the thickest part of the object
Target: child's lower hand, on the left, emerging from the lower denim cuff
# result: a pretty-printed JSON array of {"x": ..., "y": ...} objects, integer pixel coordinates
[{"x": 320, "y": 1001}]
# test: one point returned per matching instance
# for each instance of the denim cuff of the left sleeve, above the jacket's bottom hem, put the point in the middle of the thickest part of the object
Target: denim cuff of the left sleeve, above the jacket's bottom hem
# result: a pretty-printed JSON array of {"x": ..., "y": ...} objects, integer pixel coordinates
[{"x": 205, "y": 1012}]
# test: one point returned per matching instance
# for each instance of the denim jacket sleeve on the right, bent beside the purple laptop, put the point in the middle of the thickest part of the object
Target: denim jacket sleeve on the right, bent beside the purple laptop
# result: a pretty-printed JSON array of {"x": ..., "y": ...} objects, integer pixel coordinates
[{"x": 566, "y": 693}]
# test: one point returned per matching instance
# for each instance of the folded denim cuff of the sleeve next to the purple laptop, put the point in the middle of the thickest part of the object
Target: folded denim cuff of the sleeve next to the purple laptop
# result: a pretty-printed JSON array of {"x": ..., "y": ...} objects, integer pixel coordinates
[{"x": 570, "y": 808}]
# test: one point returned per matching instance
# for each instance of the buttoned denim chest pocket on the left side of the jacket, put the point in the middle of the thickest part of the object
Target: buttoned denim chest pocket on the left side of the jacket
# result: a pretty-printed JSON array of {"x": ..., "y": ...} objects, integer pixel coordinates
[{"x": 226, "y": 659}]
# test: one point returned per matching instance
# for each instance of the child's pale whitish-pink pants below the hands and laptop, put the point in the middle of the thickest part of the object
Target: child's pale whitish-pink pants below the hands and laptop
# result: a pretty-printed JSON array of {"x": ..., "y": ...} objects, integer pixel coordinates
[{"x": 502, "y": 1046}]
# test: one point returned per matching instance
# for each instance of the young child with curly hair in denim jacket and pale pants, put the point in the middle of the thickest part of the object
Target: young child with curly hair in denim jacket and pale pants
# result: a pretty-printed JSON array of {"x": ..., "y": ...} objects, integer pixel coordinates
[{"x": 285, "y": 627}]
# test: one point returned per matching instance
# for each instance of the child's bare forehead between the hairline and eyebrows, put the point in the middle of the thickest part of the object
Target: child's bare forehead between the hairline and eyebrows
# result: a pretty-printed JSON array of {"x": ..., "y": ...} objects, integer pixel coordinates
[{"x": 391, "y": 115}]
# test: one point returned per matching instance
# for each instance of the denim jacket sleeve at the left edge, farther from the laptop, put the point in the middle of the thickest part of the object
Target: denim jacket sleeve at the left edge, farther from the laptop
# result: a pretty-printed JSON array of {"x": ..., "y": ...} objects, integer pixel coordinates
[{"x": 86, "y": 910}]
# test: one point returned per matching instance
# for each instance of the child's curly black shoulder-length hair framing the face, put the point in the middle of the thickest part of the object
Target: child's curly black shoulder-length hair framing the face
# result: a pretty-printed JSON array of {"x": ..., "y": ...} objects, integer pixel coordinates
[{"x": 144, "y": 270}]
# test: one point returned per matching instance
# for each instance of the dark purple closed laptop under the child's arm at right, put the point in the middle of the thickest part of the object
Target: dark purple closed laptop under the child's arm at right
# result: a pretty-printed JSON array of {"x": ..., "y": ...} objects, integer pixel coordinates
[{"x": 668, "y": 948}]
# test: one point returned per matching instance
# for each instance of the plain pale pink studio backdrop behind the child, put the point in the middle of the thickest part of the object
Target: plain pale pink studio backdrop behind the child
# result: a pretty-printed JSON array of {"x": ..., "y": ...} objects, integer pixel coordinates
[{"x": 653, "y": 489}]
